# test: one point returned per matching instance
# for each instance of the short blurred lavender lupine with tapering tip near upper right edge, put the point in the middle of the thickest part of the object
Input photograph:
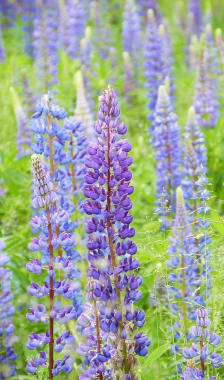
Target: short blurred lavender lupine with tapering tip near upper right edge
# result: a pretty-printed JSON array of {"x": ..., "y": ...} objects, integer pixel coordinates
[{"x": 205, "y": 102}]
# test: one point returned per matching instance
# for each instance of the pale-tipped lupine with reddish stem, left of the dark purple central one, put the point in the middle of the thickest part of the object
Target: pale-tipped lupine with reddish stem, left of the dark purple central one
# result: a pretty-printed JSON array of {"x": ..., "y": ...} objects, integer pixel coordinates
[{"x": 59, "y": 281}]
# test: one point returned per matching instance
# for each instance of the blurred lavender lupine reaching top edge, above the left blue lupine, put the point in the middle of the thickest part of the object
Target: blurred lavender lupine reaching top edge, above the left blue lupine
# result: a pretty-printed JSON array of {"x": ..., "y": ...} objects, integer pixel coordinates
[{"x": 45, "y": 43}]
